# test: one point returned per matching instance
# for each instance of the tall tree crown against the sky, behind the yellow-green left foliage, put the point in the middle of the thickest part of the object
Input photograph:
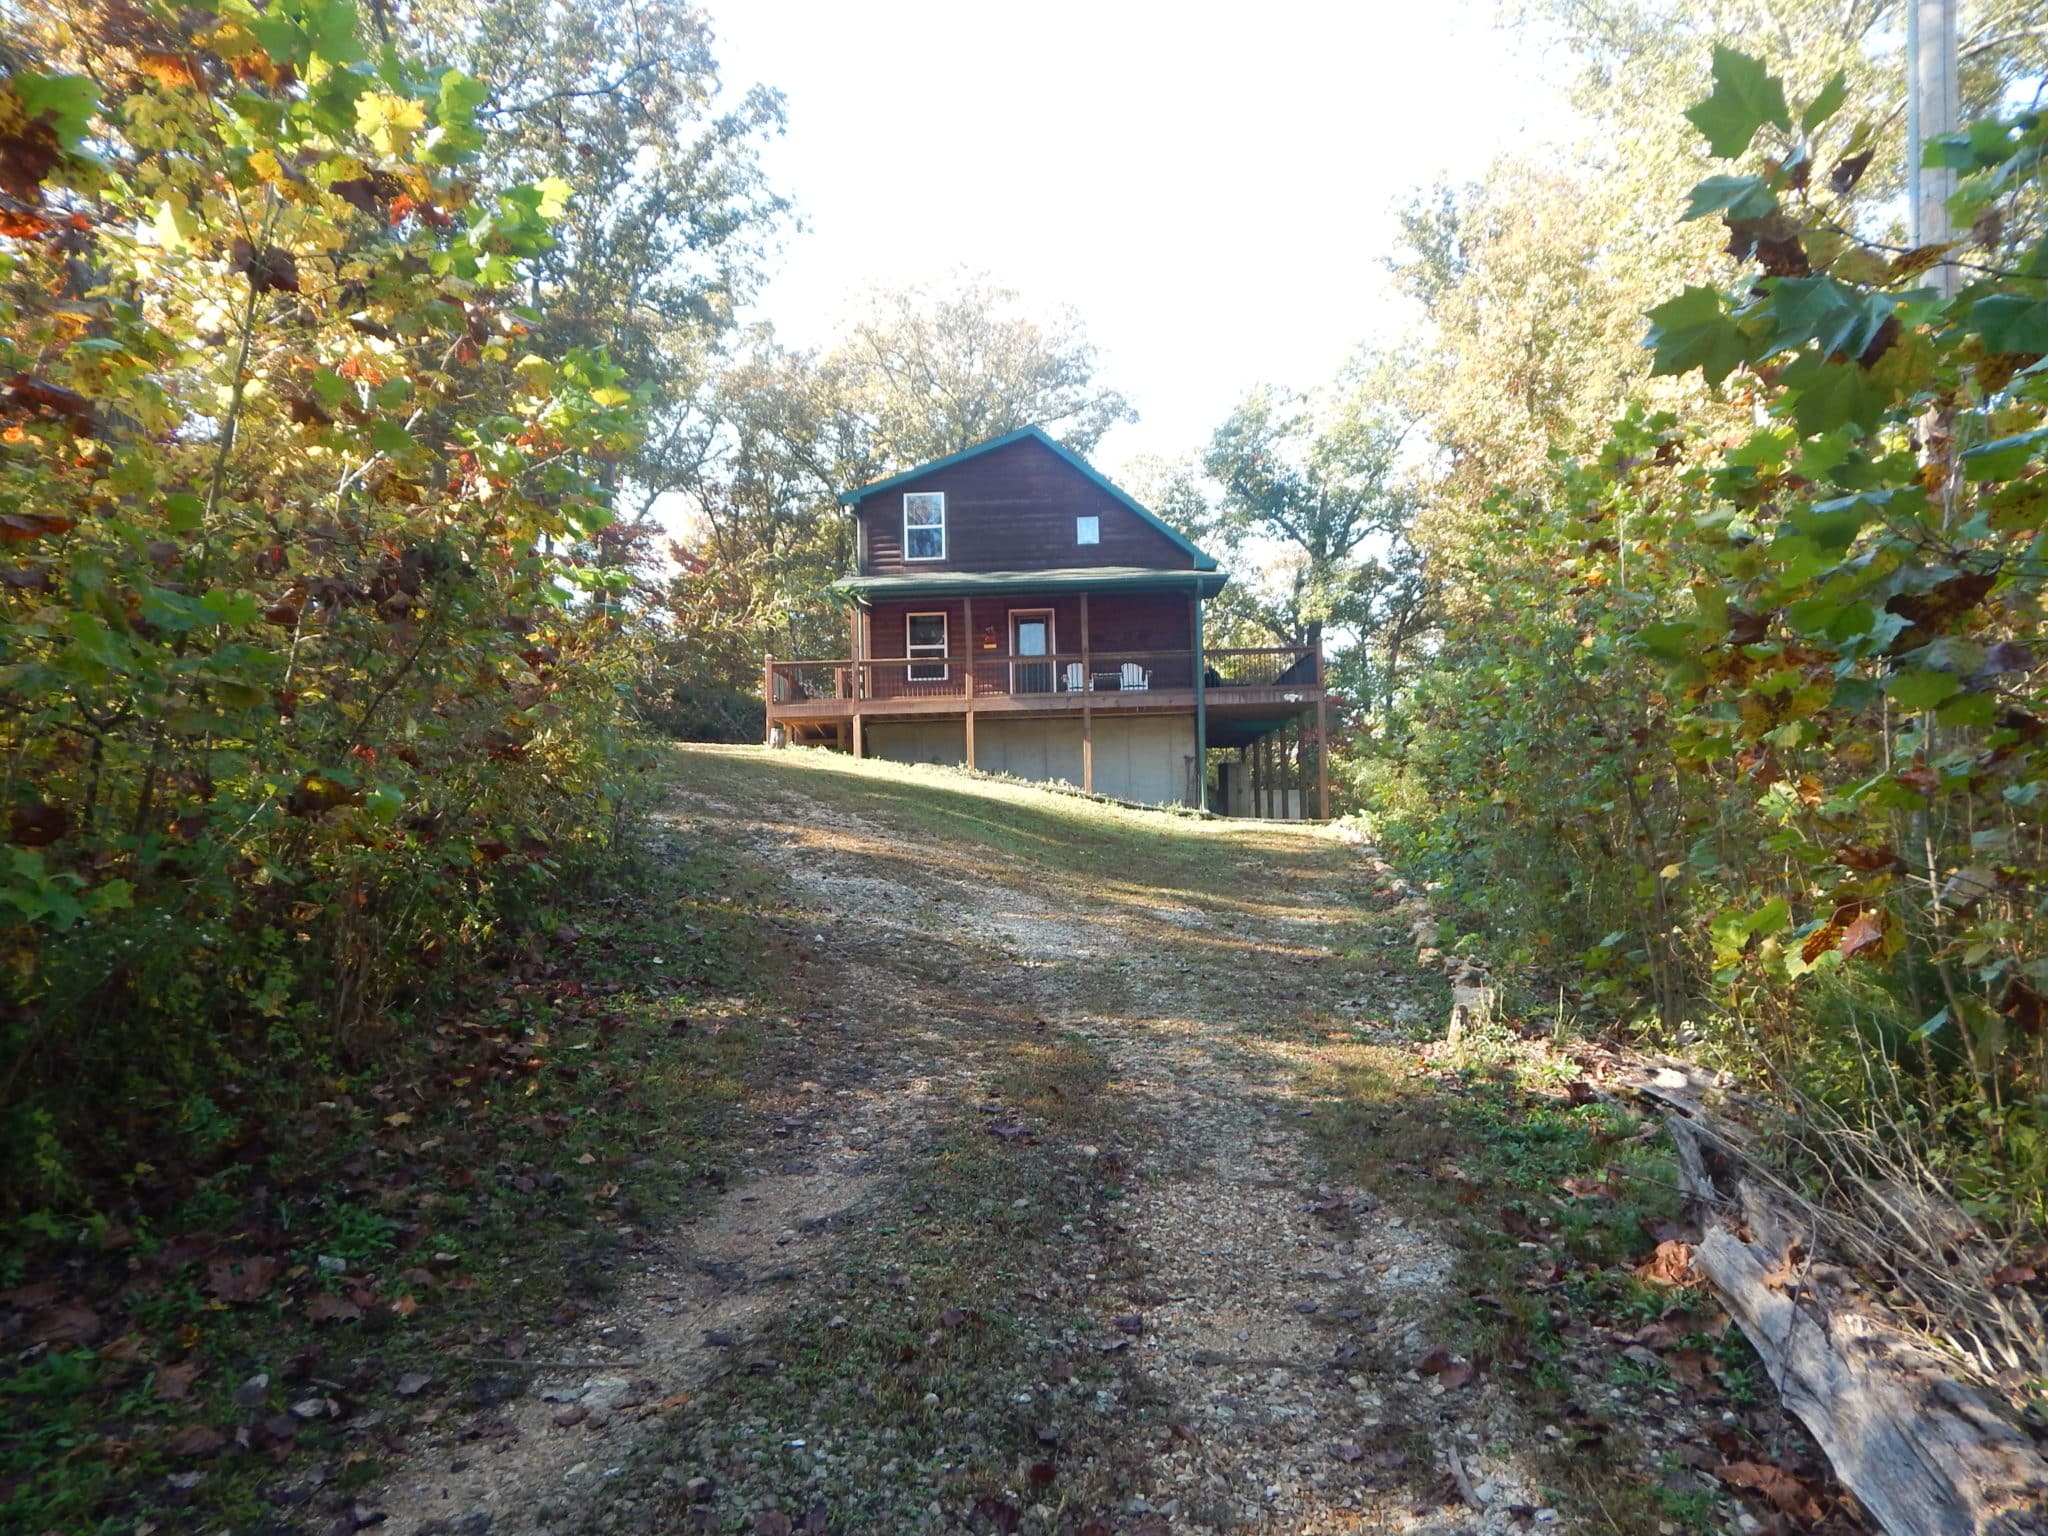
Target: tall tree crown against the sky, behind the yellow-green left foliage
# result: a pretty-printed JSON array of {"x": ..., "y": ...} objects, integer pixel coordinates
[{"x": 673, "y": 220}]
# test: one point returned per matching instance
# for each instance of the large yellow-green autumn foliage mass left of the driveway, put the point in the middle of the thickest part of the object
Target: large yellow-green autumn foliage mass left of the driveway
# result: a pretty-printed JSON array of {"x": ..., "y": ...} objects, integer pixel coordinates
[{"x": 308, "y": 665}]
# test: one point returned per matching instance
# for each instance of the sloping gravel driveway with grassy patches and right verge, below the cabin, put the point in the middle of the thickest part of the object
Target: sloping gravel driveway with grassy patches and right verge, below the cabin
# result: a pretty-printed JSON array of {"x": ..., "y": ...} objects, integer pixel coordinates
[{"x": 1115, "y": 1193}]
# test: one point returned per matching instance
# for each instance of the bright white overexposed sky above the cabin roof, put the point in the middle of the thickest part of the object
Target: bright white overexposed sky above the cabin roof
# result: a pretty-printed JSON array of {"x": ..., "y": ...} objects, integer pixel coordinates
[{"x": 1209, "y": 187}]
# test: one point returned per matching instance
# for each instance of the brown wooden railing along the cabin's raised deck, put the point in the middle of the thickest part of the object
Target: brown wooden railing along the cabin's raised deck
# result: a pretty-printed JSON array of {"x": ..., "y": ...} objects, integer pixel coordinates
[{"x": 1002, "y": 675}]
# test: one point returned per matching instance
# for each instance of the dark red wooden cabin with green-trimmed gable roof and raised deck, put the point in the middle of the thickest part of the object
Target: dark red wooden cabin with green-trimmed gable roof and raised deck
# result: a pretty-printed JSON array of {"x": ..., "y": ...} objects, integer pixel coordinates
[{"x": 1015, "y": 611}]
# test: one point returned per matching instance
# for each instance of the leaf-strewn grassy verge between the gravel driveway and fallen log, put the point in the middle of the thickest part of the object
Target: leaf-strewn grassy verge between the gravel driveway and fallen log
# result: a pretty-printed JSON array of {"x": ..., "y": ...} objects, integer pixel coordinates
[{"x": 1574, "y": 1281}]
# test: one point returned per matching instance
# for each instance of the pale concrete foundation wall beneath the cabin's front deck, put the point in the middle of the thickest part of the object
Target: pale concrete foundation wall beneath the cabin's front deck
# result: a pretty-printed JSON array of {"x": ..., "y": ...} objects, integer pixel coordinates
[{"x": 1138, "y": 759}]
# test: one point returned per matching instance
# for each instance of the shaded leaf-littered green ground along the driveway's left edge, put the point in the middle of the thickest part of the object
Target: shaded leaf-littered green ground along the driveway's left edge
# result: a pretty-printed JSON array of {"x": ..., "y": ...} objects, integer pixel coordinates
[{"x": 251, "y": 1332}]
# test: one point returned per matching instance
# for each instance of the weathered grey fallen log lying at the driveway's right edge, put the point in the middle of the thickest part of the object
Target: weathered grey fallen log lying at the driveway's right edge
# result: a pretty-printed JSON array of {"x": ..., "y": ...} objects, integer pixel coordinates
[{"x": 1914, "y": 1443}]
